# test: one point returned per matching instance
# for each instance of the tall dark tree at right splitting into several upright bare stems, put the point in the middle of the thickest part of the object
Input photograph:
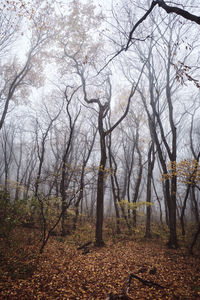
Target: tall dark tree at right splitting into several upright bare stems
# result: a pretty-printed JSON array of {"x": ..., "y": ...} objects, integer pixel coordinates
[{"x": 166, "y": 147}]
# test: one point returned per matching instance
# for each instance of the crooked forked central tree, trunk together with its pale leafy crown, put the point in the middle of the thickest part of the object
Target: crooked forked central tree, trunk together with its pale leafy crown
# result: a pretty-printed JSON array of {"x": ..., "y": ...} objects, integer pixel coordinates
[{"x": 81, "y": 59}]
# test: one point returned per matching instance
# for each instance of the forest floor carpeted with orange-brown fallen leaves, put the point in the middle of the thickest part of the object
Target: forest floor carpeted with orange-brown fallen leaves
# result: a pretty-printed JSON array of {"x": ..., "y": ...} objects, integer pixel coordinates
[{"x": 64, "y": 272}]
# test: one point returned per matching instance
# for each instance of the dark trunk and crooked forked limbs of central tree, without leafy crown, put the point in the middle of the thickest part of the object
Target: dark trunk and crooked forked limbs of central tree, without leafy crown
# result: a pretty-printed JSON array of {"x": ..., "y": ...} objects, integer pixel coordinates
[{"x": 103, "y": 104}]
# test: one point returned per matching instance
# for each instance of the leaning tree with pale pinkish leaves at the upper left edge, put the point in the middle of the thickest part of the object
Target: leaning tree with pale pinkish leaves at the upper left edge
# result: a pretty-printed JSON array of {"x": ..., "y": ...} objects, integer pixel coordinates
[{"x": 18, "y": 73}]
